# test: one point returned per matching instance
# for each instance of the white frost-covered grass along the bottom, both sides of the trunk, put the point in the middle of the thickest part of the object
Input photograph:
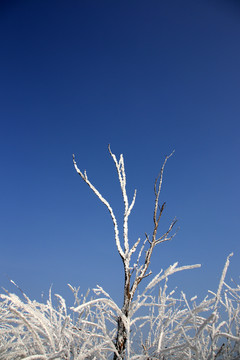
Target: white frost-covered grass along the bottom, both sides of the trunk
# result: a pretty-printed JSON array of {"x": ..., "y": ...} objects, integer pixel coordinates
[{"x": 161, "y": 325}]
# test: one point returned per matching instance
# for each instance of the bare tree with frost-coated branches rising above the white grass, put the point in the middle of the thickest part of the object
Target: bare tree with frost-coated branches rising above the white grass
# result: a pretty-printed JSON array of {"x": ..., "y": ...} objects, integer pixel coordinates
[{"x": 133, "y": 273}]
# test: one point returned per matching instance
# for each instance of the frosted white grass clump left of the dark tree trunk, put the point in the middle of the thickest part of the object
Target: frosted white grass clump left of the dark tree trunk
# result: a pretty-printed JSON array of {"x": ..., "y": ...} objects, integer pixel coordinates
[{"x": 32, "y": 330}]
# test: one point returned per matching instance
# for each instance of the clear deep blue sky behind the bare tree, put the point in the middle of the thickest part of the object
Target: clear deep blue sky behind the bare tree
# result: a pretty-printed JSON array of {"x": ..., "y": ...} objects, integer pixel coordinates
[{"x": 147, "y": 77}]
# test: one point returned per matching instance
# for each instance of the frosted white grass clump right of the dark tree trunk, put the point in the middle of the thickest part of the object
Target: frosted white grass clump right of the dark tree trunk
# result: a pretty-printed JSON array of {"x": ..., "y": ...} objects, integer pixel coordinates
[{"x": 182, "y": 329}]
